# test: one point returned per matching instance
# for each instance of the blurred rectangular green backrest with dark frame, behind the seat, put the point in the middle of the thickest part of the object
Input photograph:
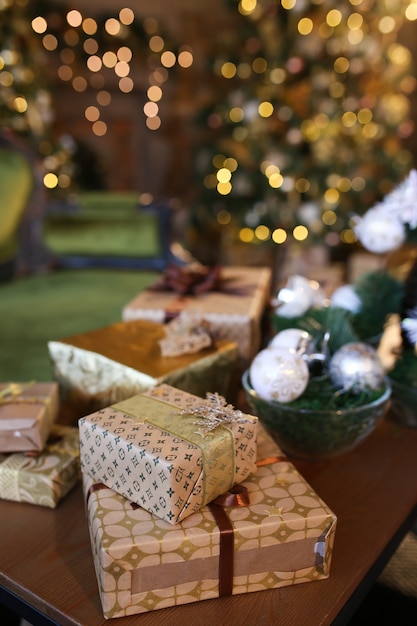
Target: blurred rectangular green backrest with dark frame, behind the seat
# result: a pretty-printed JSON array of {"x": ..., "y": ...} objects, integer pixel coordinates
[{"x": 108, "y": 229}]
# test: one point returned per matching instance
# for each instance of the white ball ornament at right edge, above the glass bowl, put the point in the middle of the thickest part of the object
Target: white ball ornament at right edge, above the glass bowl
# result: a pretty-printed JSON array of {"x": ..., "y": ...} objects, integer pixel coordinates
[{"x": 378, "y": 231}]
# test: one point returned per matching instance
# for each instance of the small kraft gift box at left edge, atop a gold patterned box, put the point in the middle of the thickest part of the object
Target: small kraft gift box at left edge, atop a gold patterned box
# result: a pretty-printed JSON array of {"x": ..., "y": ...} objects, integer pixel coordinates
[{"x": 27, "y": 412}]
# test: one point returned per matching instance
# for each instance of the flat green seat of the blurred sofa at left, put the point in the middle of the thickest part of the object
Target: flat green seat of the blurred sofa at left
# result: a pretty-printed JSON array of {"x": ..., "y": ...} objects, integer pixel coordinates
[{"x": 36, "y": 309}]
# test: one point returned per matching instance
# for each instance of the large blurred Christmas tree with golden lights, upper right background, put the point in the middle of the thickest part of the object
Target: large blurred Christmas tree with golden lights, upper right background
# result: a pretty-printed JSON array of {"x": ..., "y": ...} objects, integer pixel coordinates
[{"x": 308, "y": 119}]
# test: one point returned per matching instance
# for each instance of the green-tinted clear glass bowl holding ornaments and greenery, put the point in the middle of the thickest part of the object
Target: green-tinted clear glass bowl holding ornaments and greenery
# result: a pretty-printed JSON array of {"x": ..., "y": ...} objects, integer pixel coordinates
[{"x": 313, "y": 434}]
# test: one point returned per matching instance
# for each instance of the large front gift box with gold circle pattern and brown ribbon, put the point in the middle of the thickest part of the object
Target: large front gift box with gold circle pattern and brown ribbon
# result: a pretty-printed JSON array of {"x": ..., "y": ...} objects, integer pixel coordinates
[{"x": 284, "y": 536}]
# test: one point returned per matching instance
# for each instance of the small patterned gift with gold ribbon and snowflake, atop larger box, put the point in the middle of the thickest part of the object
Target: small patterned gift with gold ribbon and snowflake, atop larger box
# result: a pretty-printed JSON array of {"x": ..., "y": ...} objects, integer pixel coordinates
[{"x": 158, "y": 450}]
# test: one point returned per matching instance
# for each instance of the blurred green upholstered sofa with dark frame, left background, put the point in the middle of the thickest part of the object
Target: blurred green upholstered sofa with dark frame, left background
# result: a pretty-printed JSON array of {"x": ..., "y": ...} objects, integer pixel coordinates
[{"x": 68, "y": 267}]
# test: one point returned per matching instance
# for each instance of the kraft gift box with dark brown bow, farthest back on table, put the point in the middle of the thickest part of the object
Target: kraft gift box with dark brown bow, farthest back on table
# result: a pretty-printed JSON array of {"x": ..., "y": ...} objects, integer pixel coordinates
[{"x": 231, "y": 300}]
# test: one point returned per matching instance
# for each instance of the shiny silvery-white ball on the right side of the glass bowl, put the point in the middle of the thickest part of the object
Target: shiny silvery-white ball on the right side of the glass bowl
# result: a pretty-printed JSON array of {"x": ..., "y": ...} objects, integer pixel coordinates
[{"x": 357, "y": 365}]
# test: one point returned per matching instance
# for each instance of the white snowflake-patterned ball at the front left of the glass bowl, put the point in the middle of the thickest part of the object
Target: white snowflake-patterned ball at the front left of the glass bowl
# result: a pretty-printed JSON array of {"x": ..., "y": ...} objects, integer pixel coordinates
[{"x": 279, "y": 374}]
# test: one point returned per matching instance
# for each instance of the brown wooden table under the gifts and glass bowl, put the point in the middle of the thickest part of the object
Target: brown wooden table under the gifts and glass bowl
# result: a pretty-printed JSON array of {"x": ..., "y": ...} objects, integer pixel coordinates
[{"x": 47, "y": 566}]
